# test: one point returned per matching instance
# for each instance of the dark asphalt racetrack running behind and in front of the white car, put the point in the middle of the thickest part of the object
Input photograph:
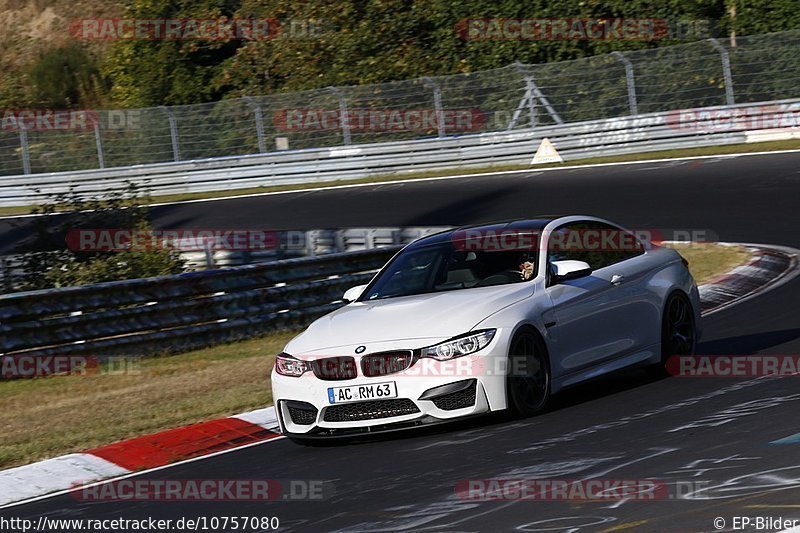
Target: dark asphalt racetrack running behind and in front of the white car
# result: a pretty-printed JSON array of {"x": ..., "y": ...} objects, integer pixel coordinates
[{"x": 709, "y": 440}]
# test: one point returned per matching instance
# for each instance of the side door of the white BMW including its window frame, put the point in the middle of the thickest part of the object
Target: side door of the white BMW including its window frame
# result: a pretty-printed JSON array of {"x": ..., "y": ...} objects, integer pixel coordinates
[{"x": 594, "y": 317}]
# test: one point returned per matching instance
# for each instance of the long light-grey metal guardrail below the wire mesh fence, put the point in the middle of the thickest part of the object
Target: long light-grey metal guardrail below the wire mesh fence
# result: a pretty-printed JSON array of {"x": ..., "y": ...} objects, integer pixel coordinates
[{"x": 689, "y": 128}]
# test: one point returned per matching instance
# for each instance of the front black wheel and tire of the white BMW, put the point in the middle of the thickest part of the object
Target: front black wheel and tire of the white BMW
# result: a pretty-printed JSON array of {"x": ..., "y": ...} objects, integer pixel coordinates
[{"x": 528, "y": 377}]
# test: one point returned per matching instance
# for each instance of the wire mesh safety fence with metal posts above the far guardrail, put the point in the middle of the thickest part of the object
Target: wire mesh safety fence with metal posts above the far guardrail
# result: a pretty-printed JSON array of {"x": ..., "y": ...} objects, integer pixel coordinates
[{"x": 762, "y": 68}]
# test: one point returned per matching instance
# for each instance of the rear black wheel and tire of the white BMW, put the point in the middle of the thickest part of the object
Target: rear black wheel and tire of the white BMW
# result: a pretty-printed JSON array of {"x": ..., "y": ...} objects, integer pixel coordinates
[{"x": 678, "y": 330}]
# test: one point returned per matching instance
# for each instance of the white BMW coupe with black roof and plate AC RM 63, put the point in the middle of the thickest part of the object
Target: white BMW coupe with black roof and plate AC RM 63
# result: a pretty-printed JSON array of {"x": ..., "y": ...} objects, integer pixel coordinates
[{"x": 486, "y": 318}]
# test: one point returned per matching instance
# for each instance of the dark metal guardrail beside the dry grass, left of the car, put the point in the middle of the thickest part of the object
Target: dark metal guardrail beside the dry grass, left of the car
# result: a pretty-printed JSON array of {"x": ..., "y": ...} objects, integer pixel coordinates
[{"x": 183, "y": 312}]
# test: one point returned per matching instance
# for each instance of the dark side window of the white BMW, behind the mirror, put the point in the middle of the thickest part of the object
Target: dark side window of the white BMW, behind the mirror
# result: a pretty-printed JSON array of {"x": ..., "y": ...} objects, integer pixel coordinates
[{"x": 596, "y": 243}]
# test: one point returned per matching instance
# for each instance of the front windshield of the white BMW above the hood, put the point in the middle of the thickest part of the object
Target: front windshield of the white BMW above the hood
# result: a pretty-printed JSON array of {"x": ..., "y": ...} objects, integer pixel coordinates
[{"x": 445, "y": 267}]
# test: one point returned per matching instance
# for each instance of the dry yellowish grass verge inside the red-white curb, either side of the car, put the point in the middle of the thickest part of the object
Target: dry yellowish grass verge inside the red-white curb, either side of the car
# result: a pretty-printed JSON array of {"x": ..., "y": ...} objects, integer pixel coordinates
[{"x": 51, "y": 416}]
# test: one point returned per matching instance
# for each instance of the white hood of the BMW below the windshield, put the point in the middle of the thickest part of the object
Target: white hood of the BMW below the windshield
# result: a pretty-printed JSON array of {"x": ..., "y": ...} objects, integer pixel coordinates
[{"x": 414, "y": 319}]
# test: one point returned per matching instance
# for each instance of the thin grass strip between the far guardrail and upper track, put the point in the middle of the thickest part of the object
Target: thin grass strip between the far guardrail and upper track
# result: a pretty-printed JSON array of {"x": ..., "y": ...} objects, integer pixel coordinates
[{"x": 709, "y": 150}]
